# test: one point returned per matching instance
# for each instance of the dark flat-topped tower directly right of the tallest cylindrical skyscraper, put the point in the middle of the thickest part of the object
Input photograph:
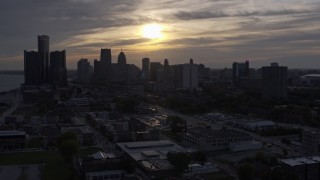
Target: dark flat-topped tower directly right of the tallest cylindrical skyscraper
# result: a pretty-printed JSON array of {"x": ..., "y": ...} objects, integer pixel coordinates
[{"x": 58, "y": 68}]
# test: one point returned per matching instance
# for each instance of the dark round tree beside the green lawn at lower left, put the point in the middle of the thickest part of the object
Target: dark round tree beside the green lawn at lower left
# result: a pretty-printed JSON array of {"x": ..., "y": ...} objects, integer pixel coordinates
[{"x": 68, "y": 145}]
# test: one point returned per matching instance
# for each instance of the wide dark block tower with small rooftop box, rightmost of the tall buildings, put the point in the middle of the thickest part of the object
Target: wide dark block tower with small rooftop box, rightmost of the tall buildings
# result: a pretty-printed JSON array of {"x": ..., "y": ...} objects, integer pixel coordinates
[{"x": 274, "y": 82}]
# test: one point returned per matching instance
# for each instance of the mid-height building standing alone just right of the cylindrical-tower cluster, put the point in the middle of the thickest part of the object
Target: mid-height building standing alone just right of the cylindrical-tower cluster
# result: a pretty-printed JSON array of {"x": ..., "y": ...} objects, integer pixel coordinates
[{"x": 84, "y": 71}]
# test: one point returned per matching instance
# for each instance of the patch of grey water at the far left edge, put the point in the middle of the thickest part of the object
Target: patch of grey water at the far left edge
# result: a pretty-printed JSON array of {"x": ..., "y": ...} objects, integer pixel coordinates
[{"x": 9, "y": 82}]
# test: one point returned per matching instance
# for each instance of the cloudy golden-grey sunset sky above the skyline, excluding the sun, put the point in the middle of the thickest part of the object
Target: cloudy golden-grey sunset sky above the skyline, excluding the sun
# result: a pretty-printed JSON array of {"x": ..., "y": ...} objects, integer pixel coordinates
[{"x": 212, "y": 32}]
